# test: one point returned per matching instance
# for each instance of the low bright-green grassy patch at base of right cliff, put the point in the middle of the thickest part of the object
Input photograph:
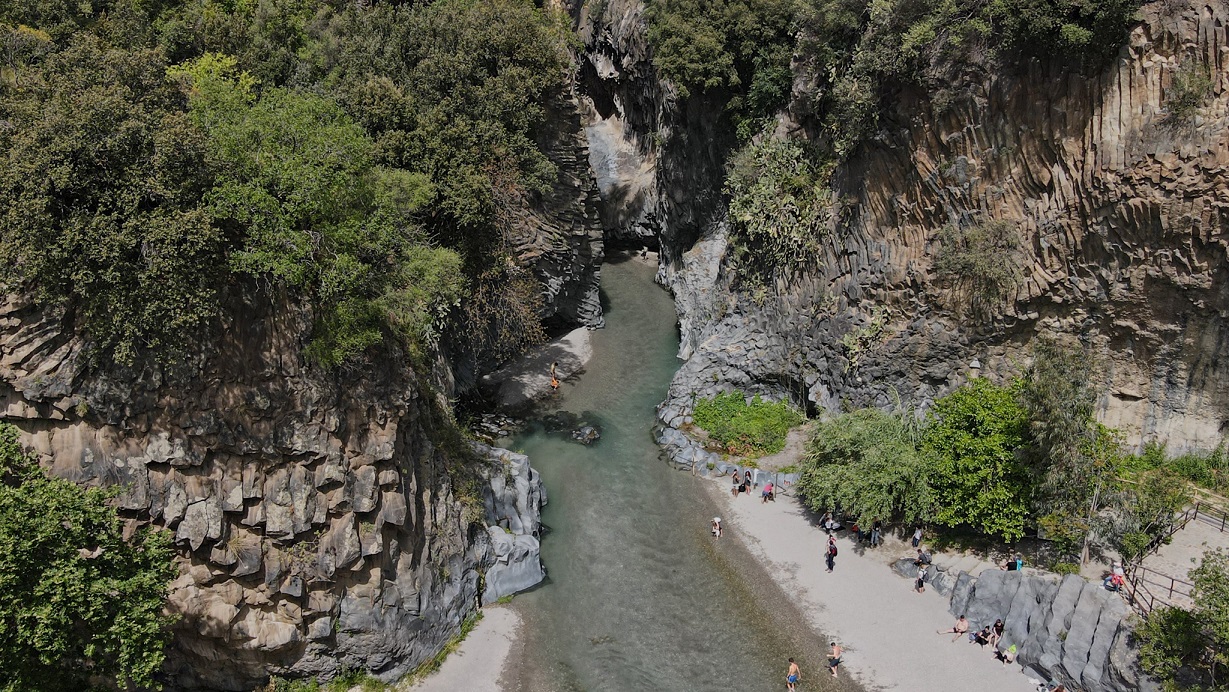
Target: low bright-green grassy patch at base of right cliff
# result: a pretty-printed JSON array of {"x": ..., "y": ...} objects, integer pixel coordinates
[{"x": 745, "y": 428}]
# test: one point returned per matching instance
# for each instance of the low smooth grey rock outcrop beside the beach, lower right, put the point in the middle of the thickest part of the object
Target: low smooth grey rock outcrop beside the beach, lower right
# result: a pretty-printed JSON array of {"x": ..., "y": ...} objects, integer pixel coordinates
[{"x": 1064, "y": 627}]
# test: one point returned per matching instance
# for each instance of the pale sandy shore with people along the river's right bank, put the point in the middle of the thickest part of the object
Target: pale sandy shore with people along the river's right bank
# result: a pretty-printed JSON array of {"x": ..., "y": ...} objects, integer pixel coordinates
[{"x": 887, "y": 629}]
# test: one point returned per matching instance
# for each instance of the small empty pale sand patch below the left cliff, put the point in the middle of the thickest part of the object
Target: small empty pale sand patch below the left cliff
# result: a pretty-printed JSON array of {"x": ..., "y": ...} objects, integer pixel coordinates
[{"x": 480, "y": 663}]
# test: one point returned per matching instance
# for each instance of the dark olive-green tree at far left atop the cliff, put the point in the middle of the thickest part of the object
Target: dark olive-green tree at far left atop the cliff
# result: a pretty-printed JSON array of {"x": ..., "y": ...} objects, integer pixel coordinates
[{"x": 103, "y": 181}]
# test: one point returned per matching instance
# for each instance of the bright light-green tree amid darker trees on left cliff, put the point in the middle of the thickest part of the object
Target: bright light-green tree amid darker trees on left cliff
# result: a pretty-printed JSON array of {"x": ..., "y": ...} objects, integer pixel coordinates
[{"x": 296, "y": 181}]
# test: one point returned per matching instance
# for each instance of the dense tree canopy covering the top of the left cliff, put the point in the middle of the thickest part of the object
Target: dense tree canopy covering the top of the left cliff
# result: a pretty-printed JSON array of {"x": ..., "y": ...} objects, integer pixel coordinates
[{"x": 364, "y": 162}]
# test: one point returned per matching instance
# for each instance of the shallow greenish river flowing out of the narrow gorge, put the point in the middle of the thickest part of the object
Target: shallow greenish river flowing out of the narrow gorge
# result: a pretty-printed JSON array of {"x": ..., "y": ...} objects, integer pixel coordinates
[{"x": 638, "y": 597}]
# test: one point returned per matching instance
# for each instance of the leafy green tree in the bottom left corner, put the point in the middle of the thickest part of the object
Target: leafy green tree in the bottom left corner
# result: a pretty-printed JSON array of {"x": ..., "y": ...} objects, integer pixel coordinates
[{"x": 79, "y": 604}]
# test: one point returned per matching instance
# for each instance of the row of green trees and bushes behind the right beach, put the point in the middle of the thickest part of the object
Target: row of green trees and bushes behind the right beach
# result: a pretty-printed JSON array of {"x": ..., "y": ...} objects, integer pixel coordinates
[{"x": 1002, "y": 462}]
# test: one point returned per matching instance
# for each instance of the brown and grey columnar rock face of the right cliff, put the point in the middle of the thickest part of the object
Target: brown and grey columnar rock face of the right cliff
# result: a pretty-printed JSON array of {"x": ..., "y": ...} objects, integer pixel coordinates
[{"x": 1124, "y": 213}]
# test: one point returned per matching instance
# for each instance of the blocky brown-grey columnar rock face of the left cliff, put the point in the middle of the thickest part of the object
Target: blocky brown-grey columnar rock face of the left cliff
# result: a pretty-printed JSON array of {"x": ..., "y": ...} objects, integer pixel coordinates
[{"x": 315, "y": 514}]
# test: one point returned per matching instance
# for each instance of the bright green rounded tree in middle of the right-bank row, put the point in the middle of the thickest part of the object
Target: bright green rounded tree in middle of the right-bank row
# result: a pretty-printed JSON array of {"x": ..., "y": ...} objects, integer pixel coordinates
[{"x": 975, "y": 437}]
